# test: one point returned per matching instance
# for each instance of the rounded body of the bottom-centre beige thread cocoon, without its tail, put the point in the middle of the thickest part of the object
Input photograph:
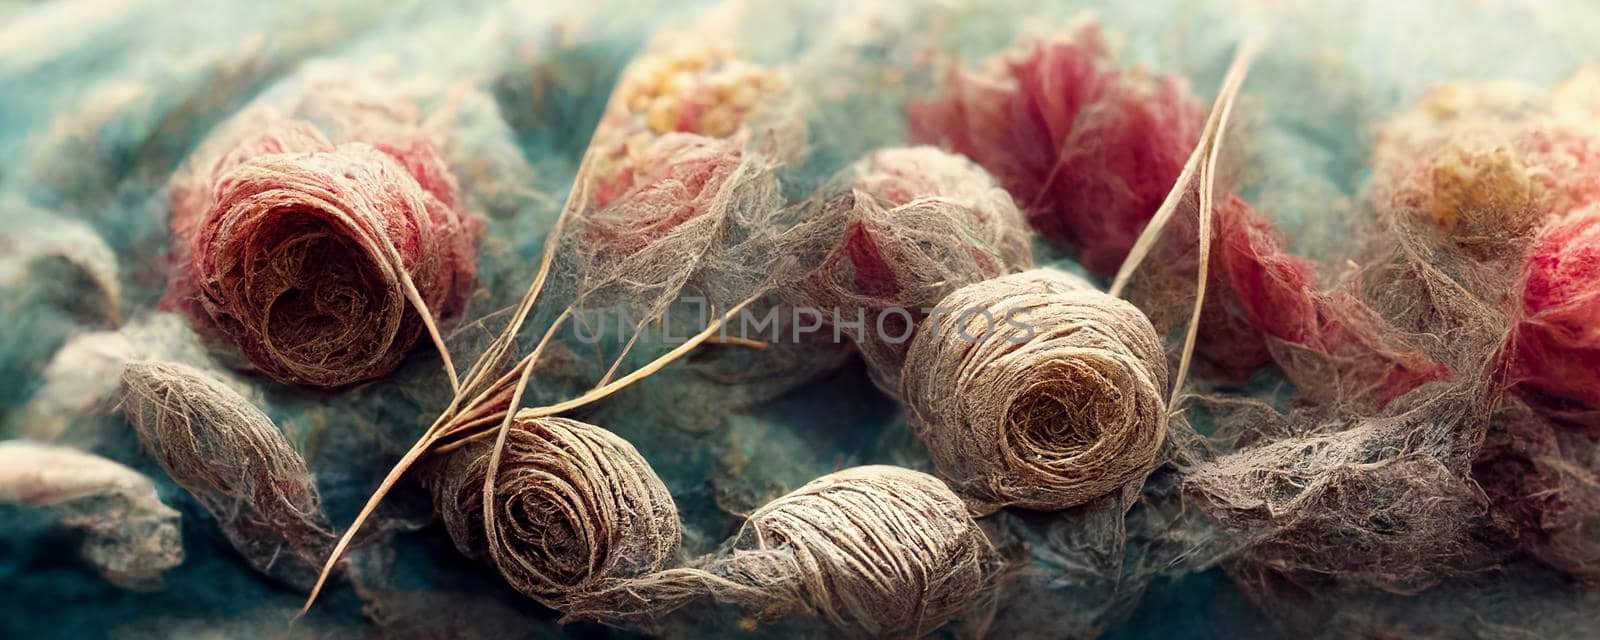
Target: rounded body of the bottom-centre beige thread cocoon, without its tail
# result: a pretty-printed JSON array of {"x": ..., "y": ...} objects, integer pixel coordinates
[{"x": 878, "y": 550}]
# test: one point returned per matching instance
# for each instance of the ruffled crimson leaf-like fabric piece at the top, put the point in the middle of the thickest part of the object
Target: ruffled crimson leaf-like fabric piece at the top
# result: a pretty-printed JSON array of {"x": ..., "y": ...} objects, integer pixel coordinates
[{"x": 1089, "y": 150}]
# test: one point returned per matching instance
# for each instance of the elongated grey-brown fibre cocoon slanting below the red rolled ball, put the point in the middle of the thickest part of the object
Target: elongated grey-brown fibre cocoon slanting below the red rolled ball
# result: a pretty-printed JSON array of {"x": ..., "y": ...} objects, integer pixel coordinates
[{"x": 236, "y": 463}]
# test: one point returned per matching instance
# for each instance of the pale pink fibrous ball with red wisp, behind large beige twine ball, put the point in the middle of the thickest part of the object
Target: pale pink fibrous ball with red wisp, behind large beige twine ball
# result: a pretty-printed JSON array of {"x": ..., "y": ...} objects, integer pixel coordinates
[{"x": 918, "y": 223}]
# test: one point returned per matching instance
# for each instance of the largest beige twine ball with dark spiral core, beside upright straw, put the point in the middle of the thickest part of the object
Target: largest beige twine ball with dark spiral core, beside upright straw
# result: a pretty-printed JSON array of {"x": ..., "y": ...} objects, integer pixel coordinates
[{"x": 1038, "y": 391}]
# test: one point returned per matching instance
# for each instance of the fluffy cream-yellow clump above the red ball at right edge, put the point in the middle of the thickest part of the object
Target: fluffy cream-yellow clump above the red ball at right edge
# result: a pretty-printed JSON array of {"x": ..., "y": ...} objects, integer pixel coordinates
[{"x": 1484, "y": 166}]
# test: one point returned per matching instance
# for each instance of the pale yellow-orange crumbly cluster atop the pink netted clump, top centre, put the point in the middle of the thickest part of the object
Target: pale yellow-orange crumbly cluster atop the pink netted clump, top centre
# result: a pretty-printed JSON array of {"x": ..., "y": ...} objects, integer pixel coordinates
[{"x": 706, "y": 82}]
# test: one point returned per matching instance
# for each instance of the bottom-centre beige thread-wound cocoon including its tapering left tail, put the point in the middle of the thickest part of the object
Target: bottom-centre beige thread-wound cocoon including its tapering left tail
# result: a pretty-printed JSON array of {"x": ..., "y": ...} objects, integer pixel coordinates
[{"x": 876, "y": 551}]
